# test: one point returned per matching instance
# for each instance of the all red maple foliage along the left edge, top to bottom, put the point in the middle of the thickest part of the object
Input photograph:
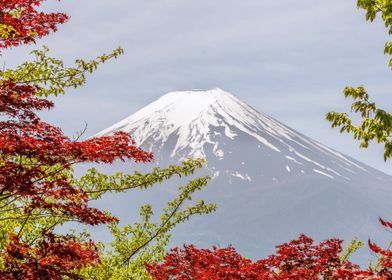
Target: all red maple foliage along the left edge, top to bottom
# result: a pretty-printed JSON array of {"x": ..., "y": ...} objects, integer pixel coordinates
[{"x": 33, "y": 157}]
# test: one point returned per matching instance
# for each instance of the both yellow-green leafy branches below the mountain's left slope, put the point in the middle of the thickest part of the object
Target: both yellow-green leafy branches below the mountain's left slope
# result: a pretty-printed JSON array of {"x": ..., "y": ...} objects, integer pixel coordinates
[{"x": 144, "y": 241}]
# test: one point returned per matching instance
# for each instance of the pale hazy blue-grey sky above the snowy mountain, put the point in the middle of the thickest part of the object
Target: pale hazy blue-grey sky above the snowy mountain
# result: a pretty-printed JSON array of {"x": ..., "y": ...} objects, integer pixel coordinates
[{"x": 289, "y": 59}]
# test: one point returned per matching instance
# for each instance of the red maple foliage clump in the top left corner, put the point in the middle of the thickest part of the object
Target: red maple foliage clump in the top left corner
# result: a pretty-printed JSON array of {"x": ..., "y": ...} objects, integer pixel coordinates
[{"x": 27, "y": 23}]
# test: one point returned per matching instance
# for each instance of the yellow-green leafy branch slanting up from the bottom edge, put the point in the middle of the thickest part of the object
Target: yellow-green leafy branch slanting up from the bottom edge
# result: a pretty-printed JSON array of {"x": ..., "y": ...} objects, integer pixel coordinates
[{"x": 146, "y": 241}]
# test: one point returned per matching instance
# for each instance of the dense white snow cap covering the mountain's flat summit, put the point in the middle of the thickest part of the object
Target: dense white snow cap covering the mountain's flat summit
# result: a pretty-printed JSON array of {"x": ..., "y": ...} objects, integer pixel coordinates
[{"x": 190, "y": 115}]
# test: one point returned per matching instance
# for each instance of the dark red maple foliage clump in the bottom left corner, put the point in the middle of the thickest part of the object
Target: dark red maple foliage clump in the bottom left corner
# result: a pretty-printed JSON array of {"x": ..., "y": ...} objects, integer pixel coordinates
[{"x": 52, "y": 258}]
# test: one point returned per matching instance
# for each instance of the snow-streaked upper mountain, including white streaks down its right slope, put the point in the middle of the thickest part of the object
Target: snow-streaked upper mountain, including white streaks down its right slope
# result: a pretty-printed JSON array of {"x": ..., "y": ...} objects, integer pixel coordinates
[{"x": 192, "y": 121}]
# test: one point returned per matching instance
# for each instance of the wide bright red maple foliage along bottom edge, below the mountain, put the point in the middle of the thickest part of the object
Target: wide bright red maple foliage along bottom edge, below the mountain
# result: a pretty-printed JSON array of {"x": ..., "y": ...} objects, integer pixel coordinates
[{"x": 298, "y": 259}]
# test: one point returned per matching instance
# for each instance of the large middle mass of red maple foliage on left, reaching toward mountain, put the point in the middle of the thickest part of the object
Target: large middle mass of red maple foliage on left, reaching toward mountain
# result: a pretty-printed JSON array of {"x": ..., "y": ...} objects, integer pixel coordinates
[{"x": 24, "y": 135}]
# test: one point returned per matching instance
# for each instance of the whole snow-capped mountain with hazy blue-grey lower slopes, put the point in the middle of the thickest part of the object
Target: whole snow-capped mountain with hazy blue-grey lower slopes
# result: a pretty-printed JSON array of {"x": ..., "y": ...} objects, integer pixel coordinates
[{"x": 271, "y": 183}]
